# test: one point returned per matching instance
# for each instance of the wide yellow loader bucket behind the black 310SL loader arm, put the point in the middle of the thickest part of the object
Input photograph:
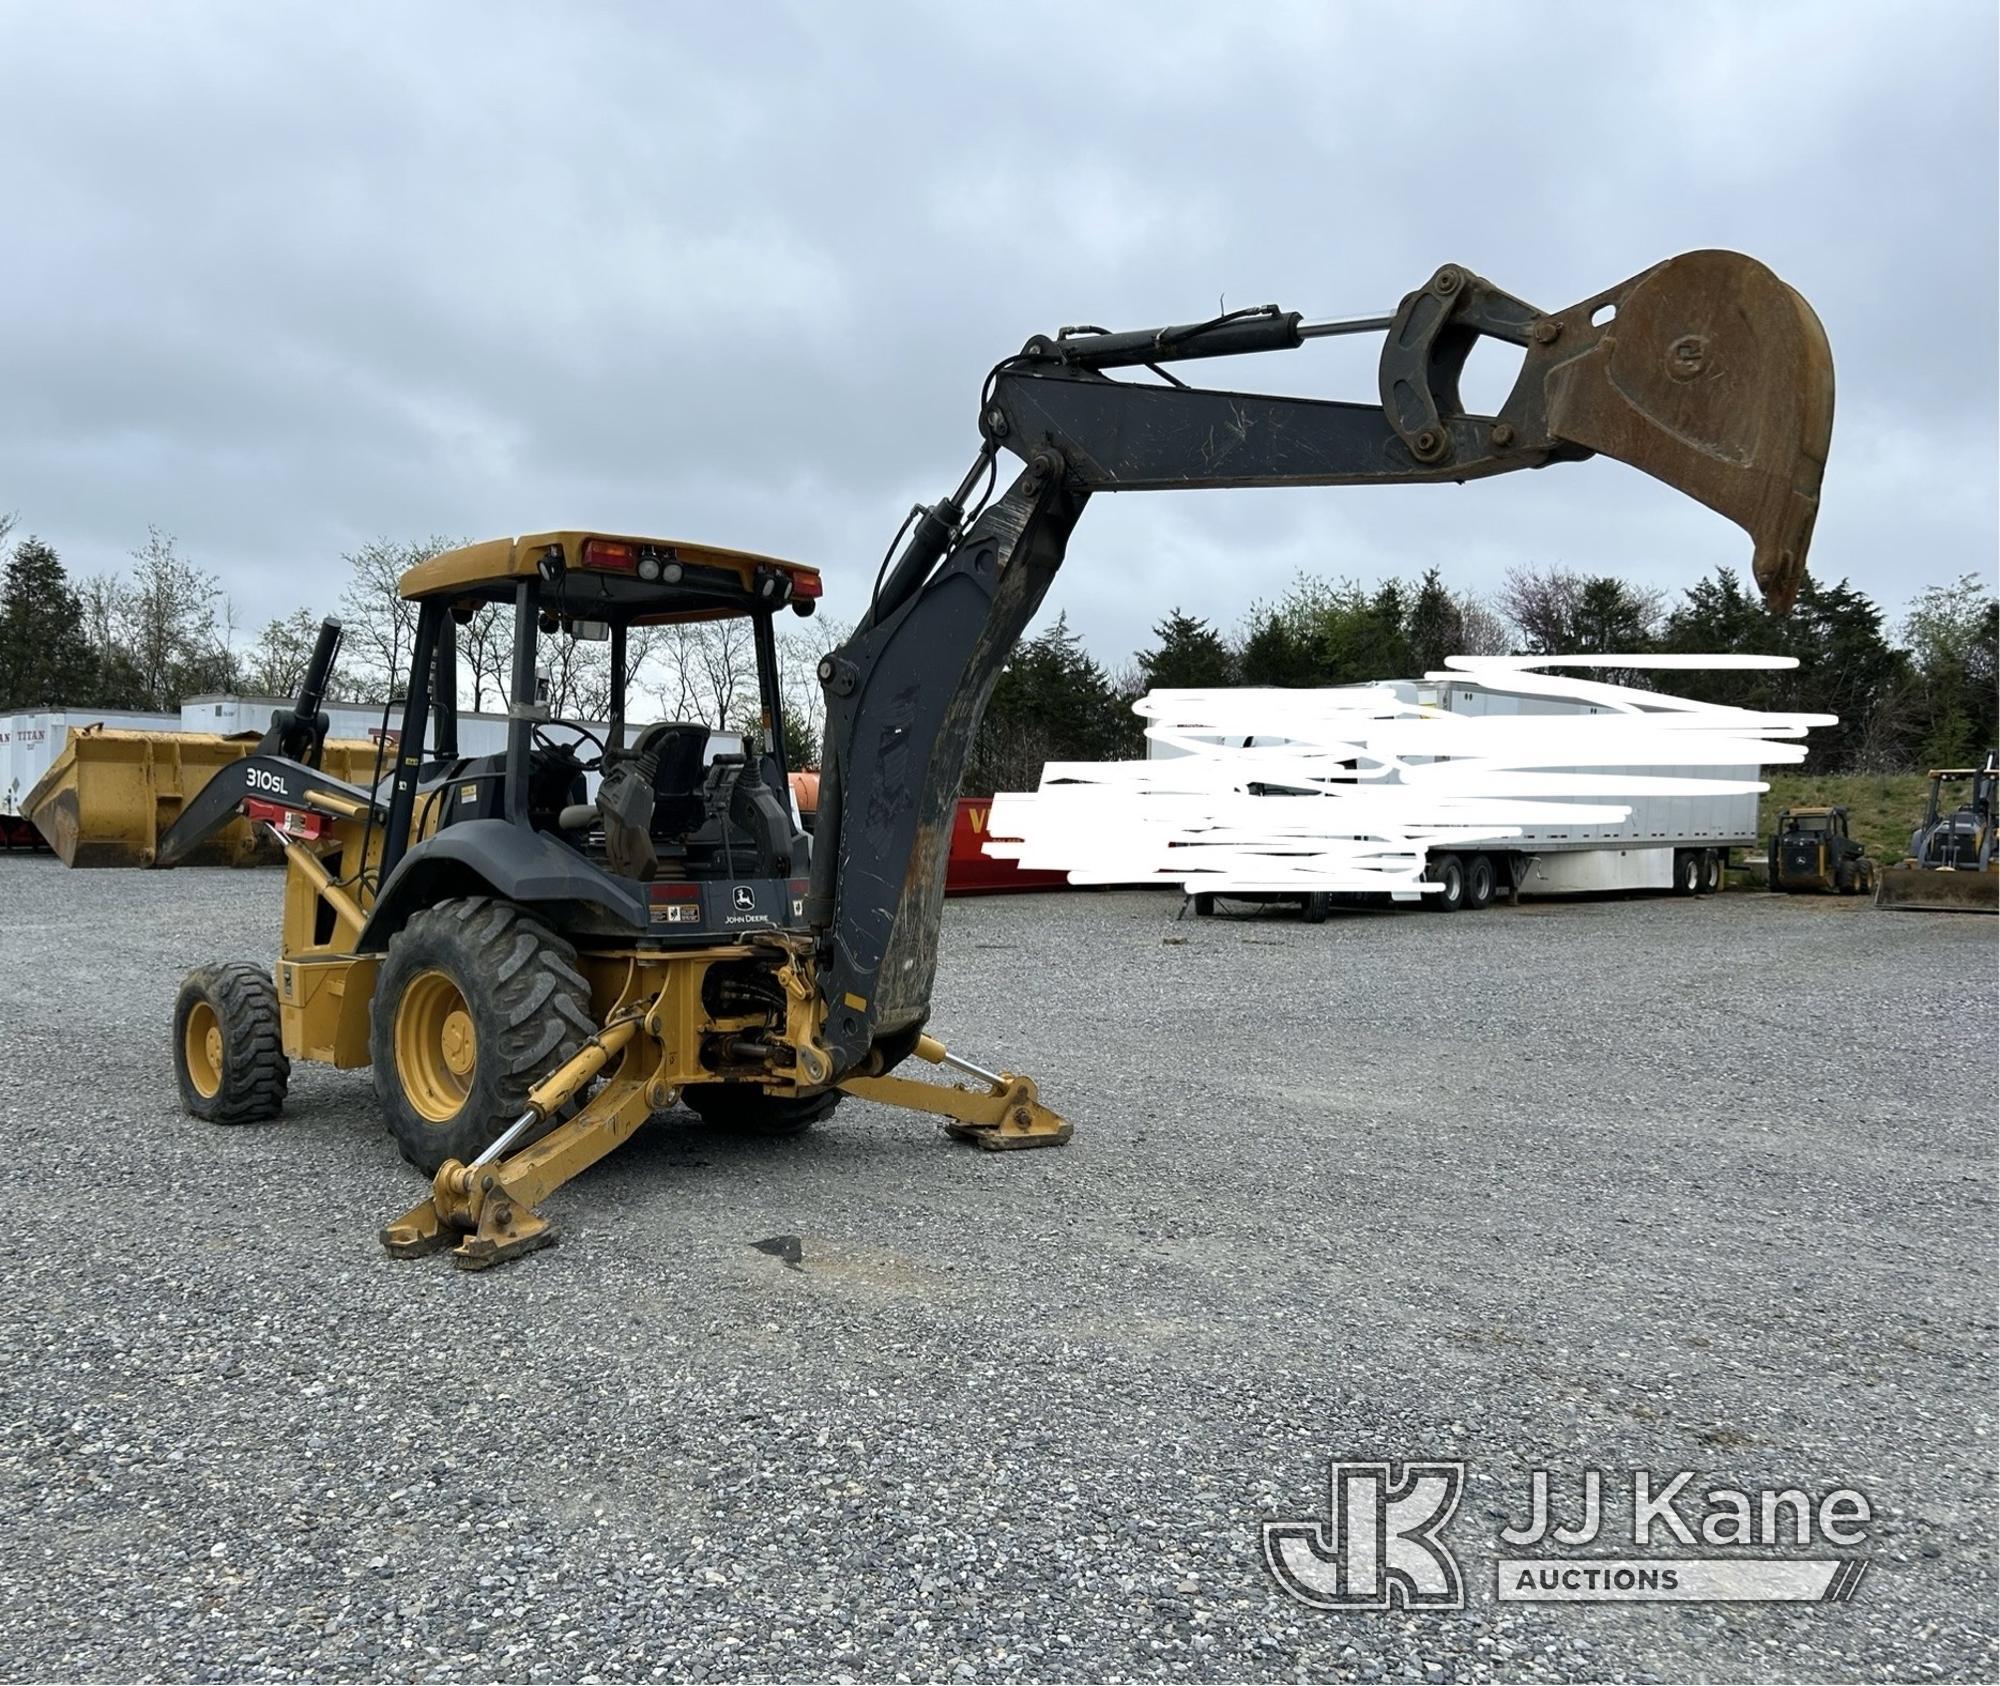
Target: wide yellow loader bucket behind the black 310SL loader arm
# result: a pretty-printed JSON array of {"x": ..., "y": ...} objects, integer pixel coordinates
[{"x": 109, "y": 797}]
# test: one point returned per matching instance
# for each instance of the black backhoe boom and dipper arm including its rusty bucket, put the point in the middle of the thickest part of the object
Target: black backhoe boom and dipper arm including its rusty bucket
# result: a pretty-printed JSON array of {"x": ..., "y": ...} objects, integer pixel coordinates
[{"x": 1707, "y": 373}]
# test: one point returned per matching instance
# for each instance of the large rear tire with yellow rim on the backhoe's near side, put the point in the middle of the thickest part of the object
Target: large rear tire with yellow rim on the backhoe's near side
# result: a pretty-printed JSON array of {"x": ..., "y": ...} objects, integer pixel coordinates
[{"x": 477, "y": 1003}]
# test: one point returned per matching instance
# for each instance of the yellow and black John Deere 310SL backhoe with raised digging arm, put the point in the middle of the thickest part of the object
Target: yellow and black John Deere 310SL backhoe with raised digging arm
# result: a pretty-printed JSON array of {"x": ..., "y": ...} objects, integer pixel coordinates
[{"x": 533, "y": 967}]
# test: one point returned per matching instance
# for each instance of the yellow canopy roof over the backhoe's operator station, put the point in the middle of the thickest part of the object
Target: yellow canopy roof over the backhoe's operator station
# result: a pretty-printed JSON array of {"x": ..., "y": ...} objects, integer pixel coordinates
[{"x": 495, "y": 565}]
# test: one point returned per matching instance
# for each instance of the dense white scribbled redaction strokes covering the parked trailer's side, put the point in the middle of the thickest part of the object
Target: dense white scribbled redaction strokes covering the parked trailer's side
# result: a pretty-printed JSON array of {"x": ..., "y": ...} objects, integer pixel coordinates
[{"x": 1347, "y": 789}]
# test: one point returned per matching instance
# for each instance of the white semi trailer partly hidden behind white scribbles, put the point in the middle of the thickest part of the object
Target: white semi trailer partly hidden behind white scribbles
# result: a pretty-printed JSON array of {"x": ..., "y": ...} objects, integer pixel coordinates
[{"x": 1673, "y": 845}]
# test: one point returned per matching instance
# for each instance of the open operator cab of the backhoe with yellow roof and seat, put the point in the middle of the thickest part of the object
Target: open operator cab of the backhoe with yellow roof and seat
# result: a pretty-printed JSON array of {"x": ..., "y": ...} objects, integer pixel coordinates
[{"x": 679, "y": 827}]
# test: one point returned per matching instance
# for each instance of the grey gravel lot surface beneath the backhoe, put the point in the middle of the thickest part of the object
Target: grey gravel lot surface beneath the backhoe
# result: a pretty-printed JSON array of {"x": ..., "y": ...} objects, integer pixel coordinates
[{"x": 1625, "y": 1185}]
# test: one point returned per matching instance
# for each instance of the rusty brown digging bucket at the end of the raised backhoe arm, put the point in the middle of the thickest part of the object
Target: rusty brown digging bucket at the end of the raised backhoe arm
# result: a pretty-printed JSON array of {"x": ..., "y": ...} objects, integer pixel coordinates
[{"x": 1715, "y": 377}]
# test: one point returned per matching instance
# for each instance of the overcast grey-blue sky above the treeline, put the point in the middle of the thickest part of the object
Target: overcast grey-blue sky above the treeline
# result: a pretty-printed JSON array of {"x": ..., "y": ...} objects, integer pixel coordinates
[{"x": 283, "y": 279}]
